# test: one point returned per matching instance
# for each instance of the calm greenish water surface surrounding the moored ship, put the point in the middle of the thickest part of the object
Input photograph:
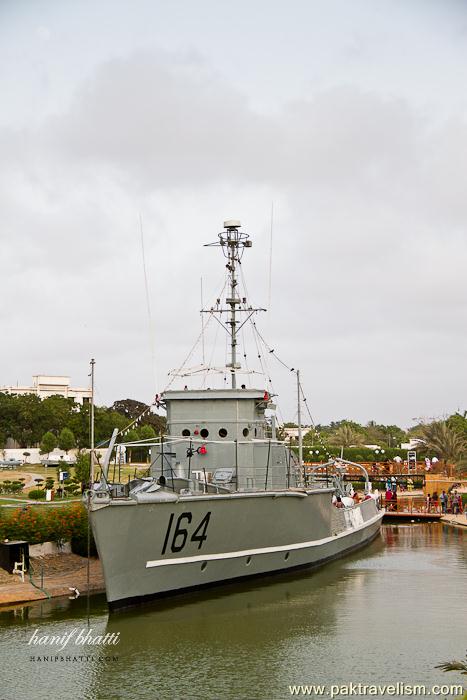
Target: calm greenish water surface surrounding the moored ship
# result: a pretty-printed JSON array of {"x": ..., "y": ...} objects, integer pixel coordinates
[{"x": 388, "y": 613}]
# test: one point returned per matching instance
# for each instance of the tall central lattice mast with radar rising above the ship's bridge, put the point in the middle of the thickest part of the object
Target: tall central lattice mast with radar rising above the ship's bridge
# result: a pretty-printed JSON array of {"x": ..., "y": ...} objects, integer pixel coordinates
[{"x": 233, "y": 242}]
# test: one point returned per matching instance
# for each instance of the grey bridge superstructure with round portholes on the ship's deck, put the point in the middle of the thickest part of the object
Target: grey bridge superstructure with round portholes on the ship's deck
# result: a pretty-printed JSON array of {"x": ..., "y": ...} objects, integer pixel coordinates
[{"x": 222, "y": 437}]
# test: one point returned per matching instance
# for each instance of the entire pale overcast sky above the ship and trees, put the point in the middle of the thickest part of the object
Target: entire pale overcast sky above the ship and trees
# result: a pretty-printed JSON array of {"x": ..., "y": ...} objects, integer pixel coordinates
[{"x": 348, "y": 116}]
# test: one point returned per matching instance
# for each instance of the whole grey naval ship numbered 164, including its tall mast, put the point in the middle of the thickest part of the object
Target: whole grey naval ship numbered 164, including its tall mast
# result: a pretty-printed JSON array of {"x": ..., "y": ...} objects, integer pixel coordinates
[{"x": 224, "y": 499}]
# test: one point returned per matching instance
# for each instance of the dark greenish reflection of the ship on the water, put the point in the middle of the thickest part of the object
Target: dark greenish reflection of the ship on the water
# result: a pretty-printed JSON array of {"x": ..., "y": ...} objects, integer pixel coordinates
[{"x": 255, "y": 620}]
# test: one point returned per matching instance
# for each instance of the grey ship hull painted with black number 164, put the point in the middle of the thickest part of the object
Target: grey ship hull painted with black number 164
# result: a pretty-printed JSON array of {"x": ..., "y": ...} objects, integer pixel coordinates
[{"x": 151, "y": 550}]
